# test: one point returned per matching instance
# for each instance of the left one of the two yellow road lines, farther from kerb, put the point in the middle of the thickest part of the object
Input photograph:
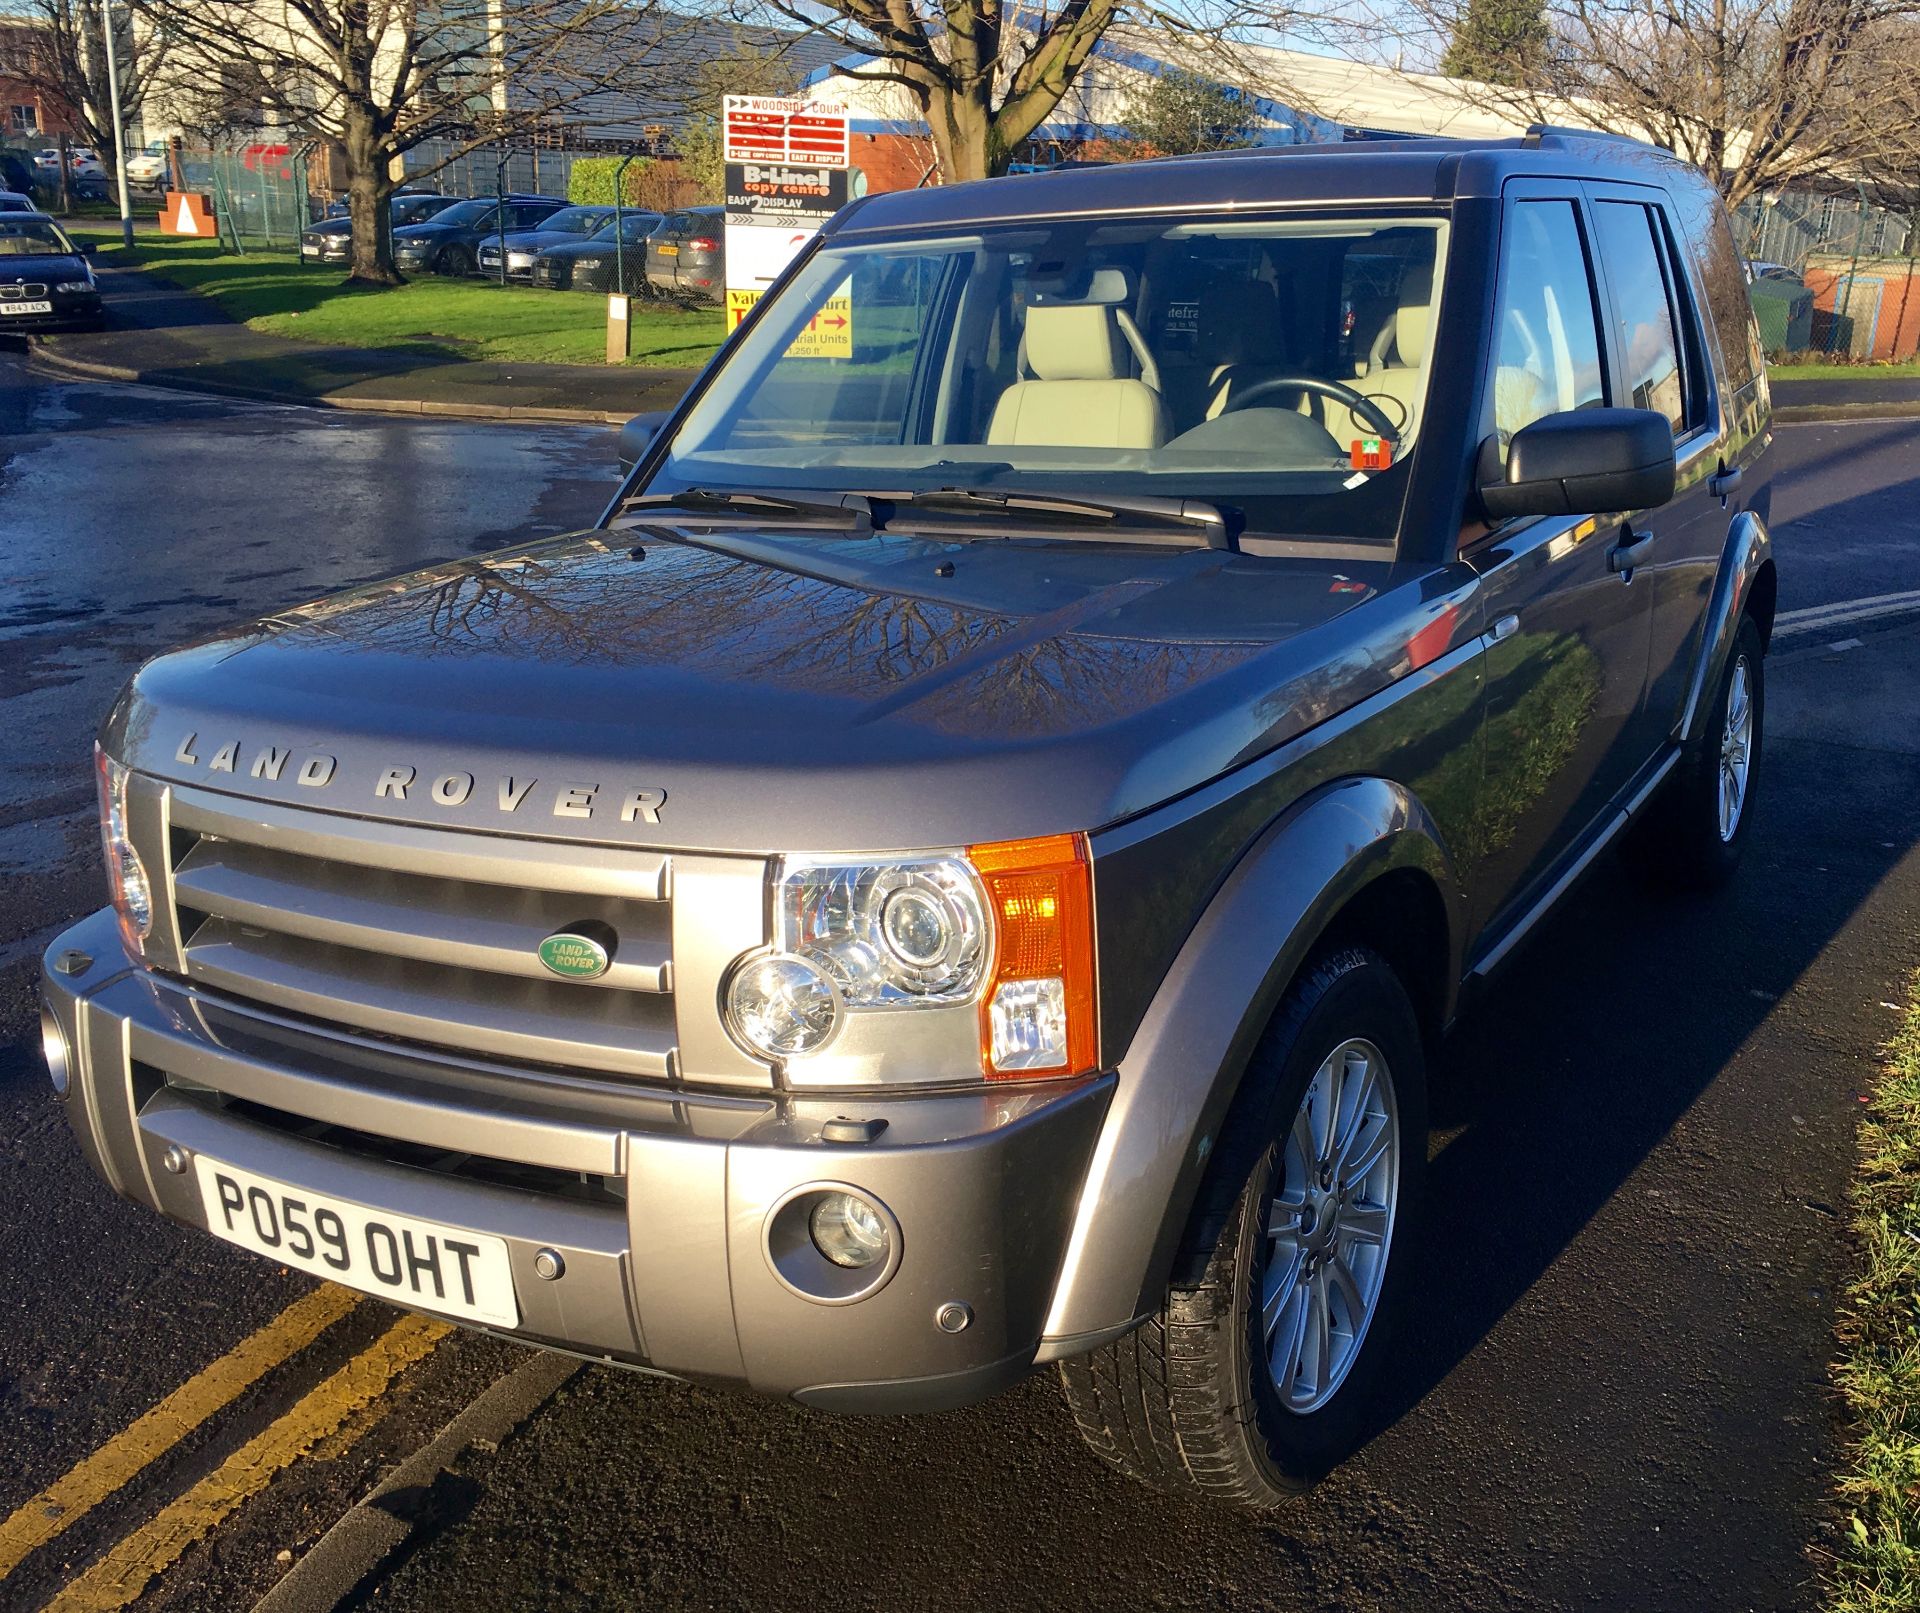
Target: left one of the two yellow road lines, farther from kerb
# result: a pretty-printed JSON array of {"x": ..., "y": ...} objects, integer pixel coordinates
[{"x": 155, "y": 1433}]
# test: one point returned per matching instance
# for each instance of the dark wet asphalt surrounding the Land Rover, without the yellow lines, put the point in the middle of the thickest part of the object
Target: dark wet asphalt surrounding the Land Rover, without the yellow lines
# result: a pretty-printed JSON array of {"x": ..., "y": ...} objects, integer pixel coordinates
[{"x": 1620, "y": 1393}]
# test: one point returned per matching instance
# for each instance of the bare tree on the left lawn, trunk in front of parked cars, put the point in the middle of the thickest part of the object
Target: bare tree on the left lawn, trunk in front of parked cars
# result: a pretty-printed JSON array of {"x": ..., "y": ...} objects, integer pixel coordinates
[{"x": 379, "y": 78}]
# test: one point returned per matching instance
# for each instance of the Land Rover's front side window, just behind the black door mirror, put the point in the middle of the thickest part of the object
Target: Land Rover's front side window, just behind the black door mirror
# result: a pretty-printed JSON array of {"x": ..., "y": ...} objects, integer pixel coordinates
[{"x": 1547, "y": 335}]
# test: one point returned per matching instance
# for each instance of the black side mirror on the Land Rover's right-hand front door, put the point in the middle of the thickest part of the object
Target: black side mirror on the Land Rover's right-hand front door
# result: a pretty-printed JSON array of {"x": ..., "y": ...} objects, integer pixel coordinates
[{"x": 1581, "y": 462}]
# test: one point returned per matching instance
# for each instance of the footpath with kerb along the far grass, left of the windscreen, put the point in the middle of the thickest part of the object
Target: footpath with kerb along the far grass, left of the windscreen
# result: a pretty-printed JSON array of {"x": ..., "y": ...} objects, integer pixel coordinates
[{"x": 164, "y": 337}]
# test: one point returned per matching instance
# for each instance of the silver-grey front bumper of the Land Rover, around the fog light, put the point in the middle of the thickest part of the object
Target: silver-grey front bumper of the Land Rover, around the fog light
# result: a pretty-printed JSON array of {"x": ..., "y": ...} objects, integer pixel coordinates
[{"x": 656, "y": 1199}]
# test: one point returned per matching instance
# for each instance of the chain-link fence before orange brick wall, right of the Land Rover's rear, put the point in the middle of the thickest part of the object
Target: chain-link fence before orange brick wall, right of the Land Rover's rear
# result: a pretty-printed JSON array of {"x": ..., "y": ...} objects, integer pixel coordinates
[{"x": 1835, "y": 276}]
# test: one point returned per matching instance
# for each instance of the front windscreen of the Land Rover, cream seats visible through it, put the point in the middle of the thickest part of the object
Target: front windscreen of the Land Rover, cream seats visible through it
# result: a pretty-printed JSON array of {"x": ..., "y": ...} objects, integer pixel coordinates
[{"x": 1272, "y": 366}]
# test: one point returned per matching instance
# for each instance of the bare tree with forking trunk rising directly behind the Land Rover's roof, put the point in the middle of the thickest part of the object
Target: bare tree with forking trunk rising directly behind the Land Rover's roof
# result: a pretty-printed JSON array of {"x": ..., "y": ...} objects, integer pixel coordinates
[{"x": 986, "y": 74}]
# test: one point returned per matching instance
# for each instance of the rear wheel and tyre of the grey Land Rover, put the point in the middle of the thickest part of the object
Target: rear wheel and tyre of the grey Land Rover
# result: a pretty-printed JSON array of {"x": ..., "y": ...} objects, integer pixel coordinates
[{"x": 1696, "y": 831}]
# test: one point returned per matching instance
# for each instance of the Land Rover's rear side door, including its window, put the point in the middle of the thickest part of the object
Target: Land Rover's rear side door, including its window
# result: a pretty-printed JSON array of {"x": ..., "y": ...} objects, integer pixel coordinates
[{"x": 1666, "y": 364}]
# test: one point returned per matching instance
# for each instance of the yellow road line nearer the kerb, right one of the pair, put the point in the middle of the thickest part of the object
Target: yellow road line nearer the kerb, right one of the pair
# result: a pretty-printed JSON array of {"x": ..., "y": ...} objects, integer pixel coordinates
[{"x": 132, "y": 1566}]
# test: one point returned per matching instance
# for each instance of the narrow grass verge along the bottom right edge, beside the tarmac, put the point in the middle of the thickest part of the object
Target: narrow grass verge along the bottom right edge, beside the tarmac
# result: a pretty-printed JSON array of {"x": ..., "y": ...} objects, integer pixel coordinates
[{"x": 1879, "y": 1370}]
